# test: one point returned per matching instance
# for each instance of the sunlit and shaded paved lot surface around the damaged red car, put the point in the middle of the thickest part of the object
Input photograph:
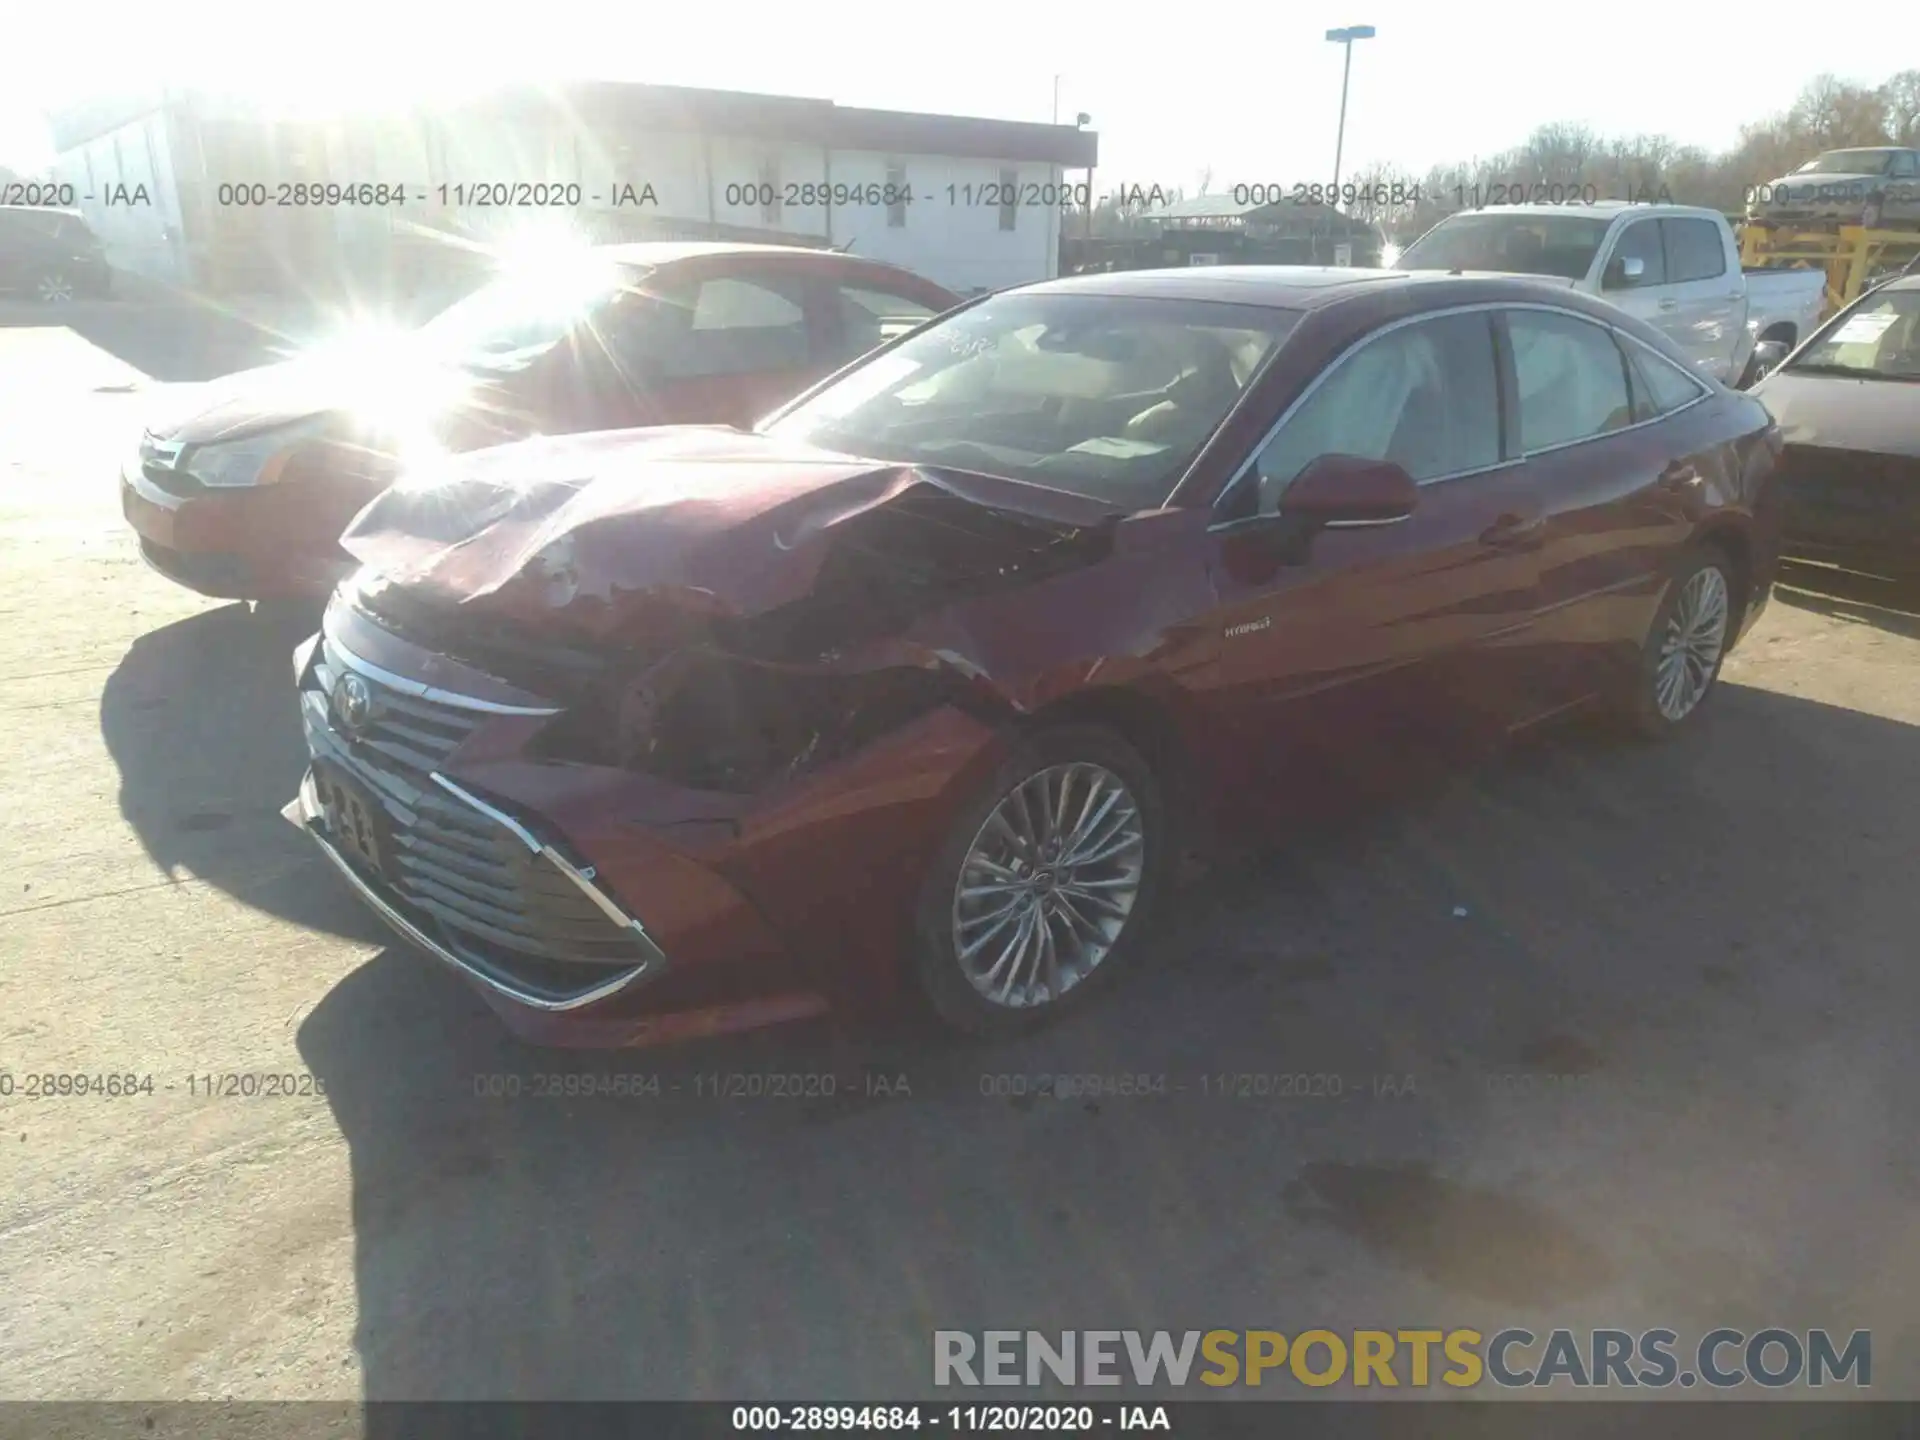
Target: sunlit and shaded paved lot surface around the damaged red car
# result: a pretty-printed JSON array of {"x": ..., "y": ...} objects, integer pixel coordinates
[{"x": 1648, "y": 1019}]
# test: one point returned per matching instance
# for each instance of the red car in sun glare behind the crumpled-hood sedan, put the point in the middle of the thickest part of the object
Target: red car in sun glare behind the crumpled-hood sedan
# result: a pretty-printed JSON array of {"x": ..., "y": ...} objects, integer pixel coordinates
[{"x": 247, "y": 496}]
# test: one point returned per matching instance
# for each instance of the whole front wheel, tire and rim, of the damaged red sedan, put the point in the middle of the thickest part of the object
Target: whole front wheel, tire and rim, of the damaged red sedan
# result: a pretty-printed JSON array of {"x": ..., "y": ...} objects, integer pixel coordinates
[{"x": 1103, "y": 777}]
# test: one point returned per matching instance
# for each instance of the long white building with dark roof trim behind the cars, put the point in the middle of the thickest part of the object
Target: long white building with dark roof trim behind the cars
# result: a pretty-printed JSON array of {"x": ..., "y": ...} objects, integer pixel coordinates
[{"x": 984, "y": 210}]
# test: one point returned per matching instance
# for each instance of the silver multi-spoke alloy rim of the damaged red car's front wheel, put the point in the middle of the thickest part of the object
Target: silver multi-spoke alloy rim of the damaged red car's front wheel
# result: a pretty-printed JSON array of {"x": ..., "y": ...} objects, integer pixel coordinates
[{"x": 1049, "y": 884}]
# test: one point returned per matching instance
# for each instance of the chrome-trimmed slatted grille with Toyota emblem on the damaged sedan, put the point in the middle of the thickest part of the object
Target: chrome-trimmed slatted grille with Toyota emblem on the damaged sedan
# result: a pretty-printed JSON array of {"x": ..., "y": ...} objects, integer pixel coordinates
[{"x": 491, "y": 898}]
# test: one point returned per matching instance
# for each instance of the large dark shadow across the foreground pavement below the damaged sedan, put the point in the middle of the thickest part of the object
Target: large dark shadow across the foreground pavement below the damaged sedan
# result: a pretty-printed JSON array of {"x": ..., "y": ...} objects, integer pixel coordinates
[{"x": 684, "y": 1224}]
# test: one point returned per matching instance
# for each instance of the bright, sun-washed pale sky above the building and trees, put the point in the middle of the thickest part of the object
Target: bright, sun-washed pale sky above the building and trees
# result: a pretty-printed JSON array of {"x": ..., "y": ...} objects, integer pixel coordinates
[{"x": 1245, "y": 91}]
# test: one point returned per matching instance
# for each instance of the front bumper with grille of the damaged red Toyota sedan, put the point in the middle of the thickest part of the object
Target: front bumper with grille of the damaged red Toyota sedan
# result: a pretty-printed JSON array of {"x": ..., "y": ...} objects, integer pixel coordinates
[{"x": 606, "y": 907}]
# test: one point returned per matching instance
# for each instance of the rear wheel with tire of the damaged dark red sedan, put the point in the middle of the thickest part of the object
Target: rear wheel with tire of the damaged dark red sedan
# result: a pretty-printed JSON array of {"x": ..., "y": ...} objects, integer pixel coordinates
[{"x": 1666, "y": 702}]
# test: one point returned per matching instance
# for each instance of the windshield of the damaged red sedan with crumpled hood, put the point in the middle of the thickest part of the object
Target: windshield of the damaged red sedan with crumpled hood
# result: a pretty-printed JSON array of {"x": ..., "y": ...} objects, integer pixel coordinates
[{"x": 1099, "y": 396}]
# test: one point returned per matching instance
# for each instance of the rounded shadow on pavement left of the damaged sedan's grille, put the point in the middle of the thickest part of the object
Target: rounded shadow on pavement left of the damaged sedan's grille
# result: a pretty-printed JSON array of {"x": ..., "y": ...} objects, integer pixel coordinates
[{"x": 203, "y": 725}]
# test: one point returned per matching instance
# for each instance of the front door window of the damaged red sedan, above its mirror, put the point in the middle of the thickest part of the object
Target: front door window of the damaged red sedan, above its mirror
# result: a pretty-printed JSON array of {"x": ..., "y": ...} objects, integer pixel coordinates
[{"x": 1424, "y": 396}]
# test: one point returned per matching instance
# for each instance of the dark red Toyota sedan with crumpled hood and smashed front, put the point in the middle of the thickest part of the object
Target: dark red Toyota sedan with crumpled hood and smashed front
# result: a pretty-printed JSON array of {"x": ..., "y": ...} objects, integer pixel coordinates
[{"x": 932, "y": 677}]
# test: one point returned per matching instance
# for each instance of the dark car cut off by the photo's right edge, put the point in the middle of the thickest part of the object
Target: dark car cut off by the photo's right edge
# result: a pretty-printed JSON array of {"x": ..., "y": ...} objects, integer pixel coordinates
[{"x": 1848, "y": 404}]
